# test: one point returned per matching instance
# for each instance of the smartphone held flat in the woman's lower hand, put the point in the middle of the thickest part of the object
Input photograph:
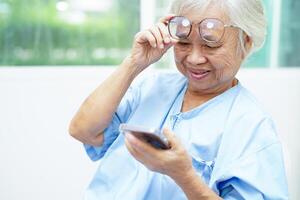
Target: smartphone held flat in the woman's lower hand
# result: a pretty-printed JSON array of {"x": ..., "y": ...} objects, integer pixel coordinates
[{"x": 152, "y": 136}]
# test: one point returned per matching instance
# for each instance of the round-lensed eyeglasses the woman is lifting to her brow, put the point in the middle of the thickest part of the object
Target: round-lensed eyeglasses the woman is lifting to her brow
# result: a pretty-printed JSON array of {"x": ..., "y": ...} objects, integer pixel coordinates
[{"x": 211, "y": 30}]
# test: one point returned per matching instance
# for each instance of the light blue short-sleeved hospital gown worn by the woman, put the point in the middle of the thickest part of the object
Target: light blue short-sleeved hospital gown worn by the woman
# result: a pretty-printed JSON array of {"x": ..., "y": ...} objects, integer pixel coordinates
[{"x": 232, "y": 141}]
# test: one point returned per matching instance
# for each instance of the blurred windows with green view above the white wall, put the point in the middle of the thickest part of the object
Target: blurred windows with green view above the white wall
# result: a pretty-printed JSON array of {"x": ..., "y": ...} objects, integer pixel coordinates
[{"x": 100, "y": 32}]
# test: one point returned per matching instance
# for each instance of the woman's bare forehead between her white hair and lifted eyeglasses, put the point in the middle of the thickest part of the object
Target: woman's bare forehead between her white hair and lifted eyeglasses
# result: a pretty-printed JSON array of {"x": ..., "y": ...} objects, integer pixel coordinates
[{"x": 210, "y": 11}]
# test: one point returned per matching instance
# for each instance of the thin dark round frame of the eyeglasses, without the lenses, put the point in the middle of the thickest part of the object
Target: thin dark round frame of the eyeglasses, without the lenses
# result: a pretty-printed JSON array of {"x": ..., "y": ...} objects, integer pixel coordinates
[{"x": 198, "y": 23}]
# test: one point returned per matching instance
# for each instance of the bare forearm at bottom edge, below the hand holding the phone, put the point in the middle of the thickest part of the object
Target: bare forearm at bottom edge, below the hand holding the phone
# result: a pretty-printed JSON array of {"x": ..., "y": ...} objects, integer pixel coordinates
[{"x": 194, "y": 188}]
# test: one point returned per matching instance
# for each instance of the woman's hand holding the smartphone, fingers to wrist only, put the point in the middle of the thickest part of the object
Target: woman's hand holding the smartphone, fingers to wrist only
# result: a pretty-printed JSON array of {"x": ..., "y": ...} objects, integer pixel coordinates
[{"x": 174, "y": 162}]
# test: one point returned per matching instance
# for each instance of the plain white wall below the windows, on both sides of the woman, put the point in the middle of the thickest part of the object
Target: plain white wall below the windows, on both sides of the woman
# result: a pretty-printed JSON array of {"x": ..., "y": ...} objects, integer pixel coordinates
[{"x": 39, "y": 160}]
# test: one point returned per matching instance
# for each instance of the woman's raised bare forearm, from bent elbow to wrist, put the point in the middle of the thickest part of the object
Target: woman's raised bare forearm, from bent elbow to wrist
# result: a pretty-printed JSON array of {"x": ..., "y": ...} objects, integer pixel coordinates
[{"x": 96, "y": 112}]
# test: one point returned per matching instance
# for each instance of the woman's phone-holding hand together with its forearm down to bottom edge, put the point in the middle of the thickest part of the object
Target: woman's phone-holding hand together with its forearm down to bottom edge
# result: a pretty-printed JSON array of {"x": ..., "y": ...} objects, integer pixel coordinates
[{"x": 174, "y": 162}]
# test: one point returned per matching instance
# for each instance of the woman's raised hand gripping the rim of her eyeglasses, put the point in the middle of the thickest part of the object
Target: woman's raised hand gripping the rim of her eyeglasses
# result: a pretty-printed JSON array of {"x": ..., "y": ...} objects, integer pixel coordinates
[{"x": 151, "y": 44}]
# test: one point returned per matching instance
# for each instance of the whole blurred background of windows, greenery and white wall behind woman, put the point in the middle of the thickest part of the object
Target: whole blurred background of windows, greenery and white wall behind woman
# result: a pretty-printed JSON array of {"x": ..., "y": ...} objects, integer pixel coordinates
[{"x": 54, "y": 53}]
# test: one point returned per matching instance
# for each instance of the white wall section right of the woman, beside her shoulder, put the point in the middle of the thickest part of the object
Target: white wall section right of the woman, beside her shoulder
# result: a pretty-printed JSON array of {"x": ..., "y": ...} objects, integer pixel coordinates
[{"x": 279, "y": 91}]
